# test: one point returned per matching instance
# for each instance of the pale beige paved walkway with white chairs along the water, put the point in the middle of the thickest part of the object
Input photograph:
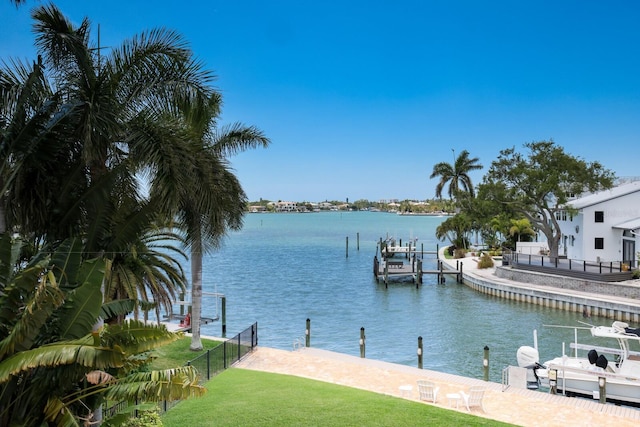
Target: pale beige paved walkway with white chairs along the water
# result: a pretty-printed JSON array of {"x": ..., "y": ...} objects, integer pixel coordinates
[{"x": 515, "y": 406}]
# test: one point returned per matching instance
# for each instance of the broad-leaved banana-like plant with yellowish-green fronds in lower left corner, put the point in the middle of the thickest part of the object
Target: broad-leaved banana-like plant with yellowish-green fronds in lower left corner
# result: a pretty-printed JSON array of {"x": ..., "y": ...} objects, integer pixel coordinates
[{"x": 53, "y": 369}]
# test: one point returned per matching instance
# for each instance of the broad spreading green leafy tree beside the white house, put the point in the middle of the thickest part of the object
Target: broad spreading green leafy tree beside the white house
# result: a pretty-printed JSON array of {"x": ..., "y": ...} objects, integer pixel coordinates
[{"x": 537, "y": 185}]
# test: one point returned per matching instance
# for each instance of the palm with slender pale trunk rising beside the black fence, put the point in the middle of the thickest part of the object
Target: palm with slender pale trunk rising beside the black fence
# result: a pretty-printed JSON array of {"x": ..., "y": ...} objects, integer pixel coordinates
[{"x": 210, "y": 200}]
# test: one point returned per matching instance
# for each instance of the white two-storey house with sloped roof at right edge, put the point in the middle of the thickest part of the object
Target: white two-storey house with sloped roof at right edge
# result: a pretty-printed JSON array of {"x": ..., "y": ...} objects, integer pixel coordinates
[{"x": 605, "y": 228}]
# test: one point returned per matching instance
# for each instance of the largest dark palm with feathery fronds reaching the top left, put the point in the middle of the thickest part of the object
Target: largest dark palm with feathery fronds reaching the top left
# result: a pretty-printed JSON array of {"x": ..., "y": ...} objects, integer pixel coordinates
[{"x": 70, "y": 158}]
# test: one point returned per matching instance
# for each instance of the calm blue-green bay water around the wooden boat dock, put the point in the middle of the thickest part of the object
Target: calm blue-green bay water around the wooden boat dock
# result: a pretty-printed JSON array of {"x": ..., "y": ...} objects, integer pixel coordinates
[{"x": 281, "y": 269}]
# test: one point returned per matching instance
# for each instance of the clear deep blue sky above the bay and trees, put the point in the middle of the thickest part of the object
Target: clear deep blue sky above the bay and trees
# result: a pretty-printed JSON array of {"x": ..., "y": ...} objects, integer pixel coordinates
[{"x": 362, "y": 98}]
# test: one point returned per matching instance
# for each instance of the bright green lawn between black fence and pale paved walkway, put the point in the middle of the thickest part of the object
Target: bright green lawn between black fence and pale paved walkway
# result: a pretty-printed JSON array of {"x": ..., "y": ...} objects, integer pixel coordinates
[{"x": 240, "y": 397}]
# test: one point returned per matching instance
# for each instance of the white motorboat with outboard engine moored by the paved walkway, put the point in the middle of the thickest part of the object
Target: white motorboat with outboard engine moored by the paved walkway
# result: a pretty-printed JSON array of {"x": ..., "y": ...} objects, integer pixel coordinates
[{"x": 619, "y": 367}]
